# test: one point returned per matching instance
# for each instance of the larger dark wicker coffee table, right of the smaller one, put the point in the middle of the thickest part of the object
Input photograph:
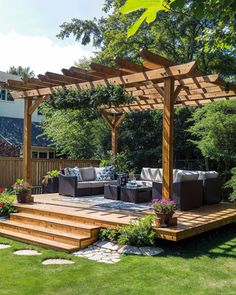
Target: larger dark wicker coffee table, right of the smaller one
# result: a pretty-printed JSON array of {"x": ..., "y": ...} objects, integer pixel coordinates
[{"x": 136, "y": 194}]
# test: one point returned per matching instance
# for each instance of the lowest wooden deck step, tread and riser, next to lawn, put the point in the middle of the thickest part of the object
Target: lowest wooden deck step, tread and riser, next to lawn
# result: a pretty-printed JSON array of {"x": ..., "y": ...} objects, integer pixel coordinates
[{"x": 44, "y": 232}]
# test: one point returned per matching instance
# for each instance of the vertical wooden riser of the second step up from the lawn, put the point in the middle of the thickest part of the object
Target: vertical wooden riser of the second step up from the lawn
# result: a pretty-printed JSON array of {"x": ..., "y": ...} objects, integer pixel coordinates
[{"x": 56, "y": 226}]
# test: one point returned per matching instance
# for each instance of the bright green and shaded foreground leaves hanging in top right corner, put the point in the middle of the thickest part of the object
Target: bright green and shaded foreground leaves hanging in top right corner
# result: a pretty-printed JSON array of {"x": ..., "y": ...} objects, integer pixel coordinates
[{"x": 221, "y": 13}]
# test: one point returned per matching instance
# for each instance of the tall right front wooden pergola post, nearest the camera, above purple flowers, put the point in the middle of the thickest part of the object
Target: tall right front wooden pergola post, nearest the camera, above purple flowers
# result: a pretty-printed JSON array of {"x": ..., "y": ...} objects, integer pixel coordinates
[{"x": 167, "y": 138}]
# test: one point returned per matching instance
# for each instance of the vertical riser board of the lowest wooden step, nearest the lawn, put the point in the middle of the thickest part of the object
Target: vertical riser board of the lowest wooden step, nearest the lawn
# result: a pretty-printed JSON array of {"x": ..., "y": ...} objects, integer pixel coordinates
[{"x": 36, "y": 233}]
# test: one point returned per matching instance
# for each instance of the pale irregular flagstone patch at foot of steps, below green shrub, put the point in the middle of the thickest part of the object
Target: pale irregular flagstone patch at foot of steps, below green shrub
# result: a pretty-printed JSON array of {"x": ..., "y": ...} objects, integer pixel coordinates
[{"x": 108, "y": 252}]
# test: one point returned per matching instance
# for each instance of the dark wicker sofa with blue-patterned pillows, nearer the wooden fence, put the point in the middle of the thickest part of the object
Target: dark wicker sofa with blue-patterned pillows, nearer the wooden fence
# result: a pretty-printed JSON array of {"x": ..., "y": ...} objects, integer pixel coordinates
[{"x": 89, "y": 181}]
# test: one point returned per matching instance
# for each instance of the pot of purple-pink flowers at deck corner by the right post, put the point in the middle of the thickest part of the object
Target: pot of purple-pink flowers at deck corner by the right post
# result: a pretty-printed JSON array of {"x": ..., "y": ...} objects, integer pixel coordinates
[{"x": 164, "y": 210}]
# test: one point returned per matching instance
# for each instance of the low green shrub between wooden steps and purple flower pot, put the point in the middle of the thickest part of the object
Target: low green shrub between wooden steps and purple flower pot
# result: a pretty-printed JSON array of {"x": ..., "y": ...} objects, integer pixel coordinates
[{"x": 138, "y": 233}]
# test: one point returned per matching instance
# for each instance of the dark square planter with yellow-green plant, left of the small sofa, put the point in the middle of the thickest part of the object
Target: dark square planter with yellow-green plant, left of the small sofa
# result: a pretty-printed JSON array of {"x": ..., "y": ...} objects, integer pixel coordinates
[{"x": 50, "y": 182}]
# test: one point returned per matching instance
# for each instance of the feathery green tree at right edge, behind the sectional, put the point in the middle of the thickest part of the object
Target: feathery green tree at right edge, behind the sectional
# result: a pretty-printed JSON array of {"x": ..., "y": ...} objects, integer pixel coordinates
[{"x": 215, "y": 129}]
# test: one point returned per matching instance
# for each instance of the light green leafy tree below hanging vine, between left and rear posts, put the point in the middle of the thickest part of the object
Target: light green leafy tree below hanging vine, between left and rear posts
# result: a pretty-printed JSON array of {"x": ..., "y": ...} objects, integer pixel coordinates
[{"x": 74, "y": 133}]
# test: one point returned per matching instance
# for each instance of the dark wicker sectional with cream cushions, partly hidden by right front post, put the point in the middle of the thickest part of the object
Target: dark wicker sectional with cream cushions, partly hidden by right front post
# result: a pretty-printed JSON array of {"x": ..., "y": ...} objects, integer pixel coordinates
[{"x": 191, "y": 190}]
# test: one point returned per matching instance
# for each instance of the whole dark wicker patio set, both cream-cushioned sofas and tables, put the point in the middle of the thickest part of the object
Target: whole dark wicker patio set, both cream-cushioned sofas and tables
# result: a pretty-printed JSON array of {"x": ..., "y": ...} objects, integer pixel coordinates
[{"x": 192, "y": 189}]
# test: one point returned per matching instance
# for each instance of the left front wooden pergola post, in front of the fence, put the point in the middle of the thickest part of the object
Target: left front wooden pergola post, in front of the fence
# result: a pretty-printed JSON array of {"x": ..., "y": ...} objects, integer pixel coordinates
[{"x": 27, "y": 140}]
